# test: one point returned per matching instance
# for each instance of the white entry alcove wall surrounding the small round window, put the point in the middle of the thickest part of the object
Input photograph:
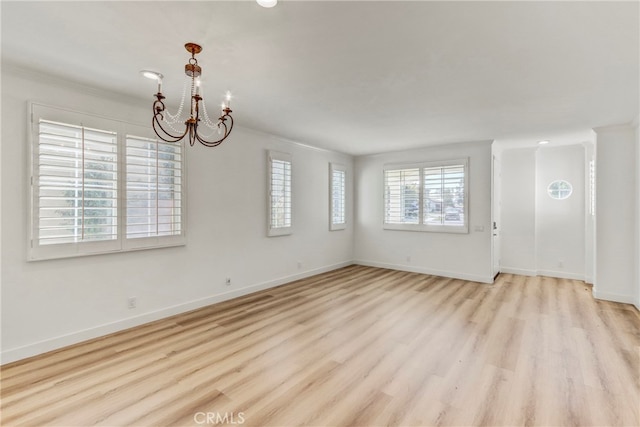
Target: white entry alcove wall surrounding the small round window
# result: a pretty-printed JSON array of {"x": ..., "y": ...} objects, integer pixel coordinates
[{"x": 542, "y": 236}]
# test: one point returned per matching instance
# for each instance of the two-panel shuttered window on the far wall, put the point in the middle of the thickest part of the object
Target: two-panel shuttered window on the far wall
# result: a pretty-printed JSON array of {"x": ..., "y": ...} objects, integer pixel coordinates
[{"x": 427, "y": 196}]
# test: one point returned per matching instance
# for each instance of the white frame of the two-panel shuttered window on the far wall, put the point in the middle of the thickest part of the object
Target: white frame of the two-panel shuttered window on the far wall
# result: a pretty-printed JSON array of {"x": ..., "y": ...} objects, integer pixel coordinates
[{"x": 421, "y": 226}]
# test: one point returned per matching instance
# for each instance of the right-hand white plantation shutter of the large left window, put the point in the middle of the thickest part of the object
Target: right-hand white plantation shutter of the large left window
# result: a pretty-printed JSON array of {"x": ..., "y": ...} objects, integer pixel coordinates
[{"x": 154, "y": 188}]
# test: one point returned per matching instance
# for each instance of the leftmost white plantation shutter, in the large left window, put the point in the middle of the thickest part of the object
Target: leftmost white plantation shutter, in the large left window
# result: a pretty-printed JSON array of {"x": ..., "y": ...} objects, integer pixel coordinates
[{"x": 76, "y": 187}]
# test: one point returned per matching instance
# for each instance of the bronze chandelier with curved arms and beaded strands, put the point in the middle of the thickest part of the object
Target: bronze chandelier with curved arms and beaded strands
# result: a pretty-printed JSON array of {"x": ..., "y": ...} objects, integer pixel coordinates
[{"x": 164, "y": 123}]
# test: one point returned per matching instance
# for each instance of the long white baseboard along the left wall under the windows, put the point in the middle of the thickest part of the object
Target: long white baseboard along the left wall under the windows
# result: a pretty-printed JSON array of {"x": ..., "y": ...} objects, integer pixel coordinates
[{"x": 36, "y": 348}]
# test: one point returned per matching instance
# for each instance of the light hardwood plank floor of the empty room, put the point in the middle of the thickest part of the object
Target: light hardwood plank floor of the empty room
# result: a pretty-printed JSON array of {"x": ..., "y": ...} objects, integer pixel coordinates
[{"x": 357, "y": 346}]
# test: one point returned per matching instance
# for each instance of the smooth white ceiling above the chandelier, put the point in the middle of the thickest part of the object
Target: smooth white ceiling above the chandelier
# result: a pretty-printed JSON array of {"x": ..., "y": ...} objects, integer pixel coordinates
[{"x": 353, "y": 76}]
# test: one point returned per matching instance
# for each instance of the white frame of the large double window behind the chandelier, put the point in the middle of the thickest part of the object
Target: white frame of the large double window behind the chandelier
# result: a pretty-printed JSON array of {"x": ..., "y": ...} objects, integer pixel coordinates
[{"x": 36, "y": 251}]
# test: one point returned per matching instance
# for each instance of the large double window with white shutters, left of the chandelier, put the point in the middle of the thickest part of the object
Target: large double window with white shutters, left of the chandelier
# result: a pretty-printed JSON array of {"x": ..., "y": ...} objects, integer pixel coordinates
[{"x": 78, "y": 197}]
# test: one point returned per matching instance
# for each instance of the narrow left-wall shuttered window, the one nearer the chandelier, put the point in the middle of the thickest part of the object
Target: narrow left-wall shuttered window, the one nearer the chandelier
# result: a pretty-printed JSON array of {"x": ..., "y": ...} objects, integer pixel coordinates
[{"x": 280, "y": 221}]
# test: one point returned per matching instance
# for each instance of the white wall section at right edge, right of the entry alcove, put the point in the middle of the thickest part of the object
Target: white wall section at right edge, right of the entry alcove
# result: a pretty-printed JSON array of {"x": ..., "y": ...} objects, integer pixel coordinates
[{"x": 616, "y": 217}]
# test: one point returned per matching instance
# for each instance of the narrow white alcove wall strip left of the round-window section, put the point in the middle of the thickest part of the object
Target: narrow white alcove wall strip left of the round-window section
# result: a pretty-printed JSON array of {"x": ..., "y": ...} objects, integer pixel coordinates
[{"x": 518, "y": 211}]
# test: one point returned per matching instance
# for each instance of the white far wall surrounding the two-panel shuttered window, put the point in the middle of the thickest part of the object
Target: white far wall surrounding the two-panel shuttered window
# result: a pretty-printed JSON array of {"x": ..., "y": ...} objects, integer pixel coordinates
[{"x": 466, "y": 256}]
